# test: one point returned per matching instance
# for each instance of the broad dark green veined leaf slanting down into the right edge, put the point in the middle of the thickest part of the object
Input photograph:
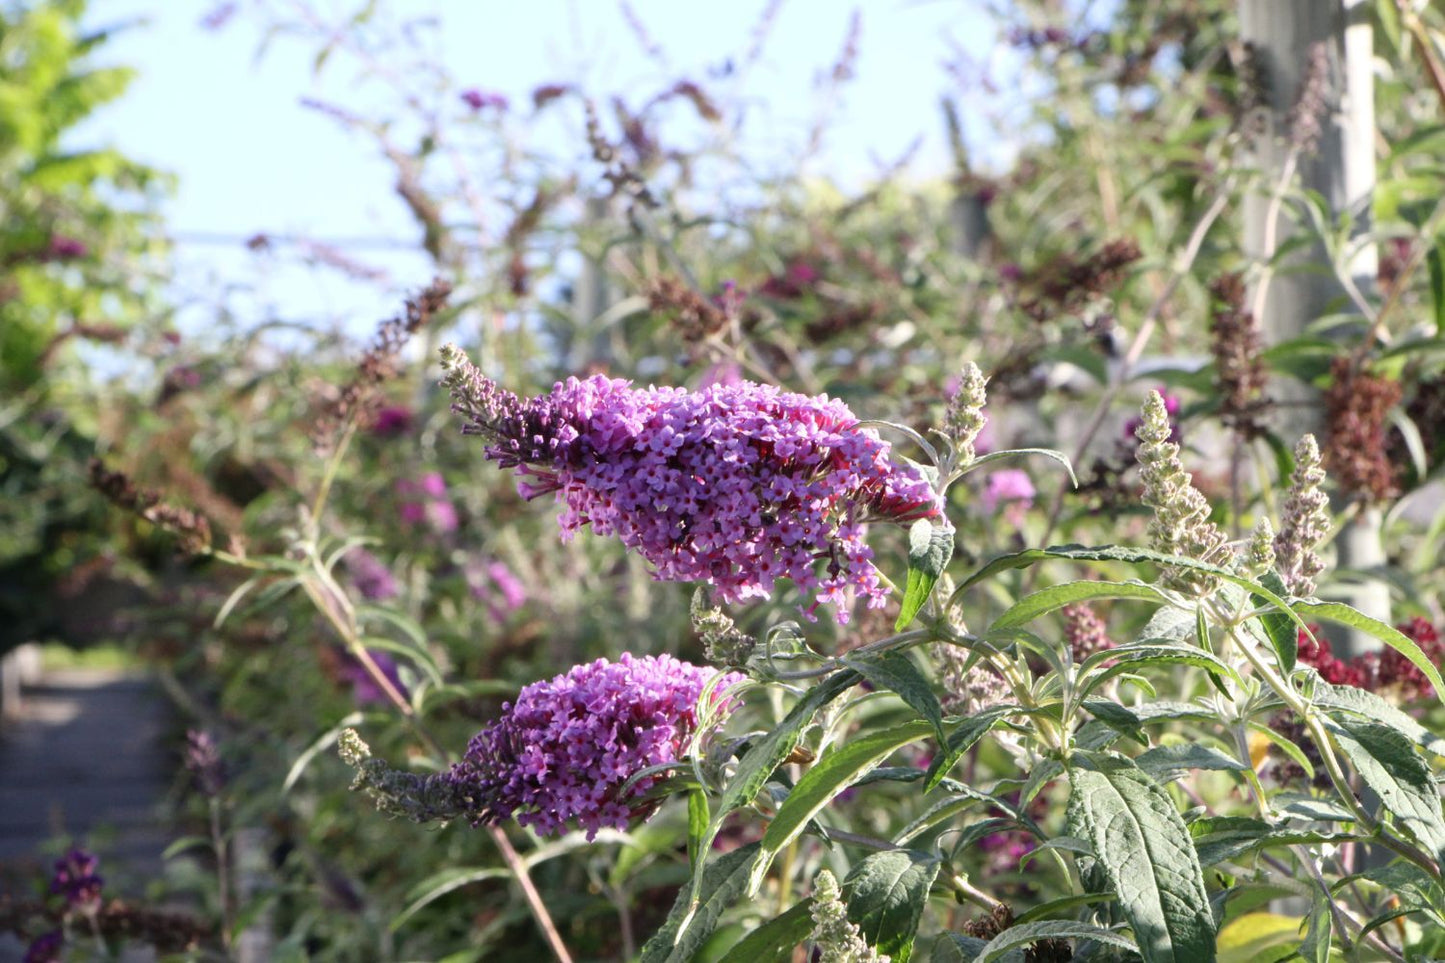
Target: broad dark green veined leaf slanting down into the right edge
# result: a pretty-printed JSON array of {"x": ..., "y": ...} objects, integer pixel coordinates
[{"x": 1391, "y": 764}]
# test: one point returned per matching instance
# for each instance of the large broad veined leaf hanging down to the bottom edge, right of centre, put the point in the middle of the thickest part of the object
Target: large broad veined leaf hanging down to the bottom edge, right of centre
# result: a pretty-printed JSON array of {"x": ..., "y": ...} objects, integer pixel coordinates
[{"x": 1144, "y": 848}]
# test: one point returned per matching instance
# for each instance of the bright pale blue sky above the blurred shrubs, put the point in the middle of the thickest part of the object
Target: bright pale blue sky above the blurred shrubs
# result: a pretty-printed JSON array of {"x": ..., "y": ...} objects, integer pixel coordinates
[{"x": 251, "y": 158}]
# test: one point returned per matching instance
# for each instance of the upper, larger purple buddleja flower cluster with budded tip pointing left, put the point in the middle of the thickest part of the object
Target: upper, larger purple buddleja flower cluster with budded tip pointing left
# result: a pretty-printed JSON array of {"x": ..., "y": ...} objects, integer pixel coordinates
[{"x": 735, "y": 485}]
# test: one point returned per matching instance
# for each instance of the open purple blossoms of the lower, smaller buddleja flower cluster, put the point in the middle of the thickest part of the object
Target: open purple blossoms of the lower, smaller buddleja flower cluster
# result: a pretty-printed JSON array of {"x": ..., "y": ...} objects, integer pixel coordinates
[{"x": 563, "y": 751}]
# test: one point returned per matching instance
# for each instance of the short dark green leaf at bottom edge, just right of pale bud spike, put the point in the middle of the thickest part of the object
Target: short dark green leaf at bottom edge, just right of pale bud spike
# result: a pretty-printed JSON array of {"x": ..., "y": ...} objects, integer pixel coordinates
[{"x": 887, "y": 896}]
